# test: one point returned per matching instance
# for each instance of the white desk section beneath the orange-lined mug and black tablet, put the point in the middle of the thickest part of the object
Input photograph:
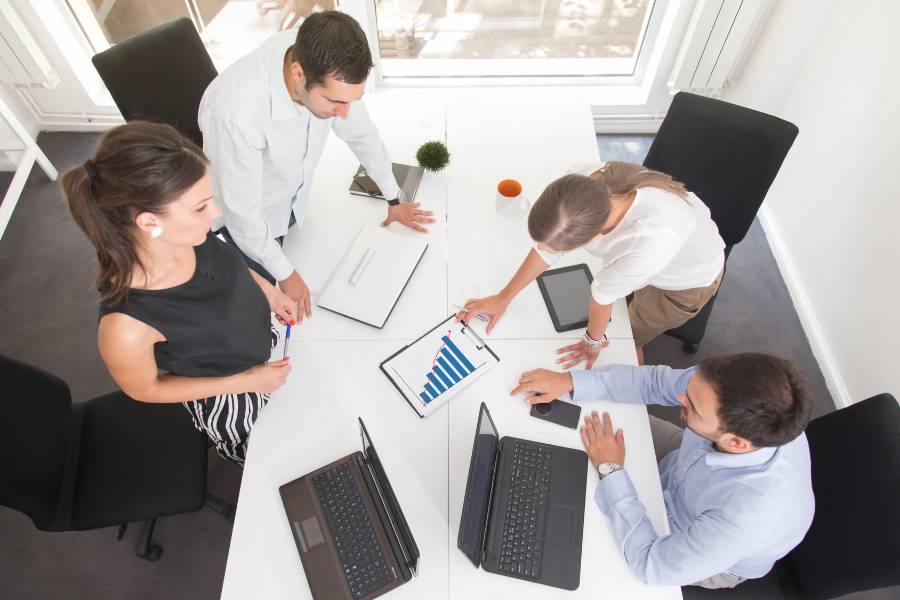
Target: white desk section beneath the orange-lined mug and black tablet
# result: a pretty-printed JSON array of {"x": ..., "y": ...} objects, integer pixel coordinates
[{"x": 528, "y": 143}]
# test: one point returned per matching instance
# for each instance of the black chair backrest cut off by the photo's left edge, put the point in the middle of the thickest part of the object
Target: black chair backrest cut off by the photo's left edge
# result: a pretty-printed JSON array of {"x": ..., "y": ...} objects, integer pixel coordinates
[{"x": 35, "y": 419}]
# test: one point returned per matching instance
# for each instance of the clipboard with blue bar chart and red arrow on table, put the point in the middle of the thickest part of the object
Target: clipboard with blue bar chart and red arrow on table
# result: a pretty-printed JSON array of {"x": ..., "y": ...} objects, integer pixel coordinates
[{"x": 439, "y": 364}]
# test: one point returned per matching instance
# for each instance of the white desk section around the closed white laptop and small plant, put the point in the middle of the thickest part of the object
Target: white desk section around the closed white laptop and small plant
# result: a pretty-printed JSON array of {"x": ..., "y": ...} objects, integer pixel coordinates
[{"x": 334, "y": 218}]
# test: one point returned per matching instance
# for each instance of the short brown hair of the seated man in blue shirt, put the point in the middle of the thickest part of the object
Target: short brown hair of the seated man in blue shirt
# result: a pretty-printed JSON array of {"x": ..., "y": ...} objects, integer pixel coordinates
[{"x": 762, "y": 398}]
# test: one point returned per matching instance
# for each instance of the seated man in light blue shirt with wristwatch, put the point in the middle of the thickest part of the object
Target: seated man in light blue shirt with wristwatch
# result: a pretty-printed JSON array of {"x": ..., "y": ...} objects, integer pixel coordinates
[{"x": 738, "y": 492}]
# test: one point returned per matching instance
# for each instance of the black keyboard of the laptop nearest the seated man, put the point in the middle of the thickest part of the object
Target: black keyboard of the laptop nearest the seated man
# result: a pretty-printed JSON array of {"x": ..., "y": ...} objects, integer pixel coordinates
[{"x": 523, "y": 528}]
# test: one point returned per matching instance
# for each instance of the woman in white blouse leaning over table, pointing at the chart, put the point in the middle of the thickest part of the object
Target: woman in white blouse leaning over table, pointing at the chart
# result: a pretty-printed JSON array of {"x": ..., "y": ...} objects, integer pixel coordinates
[{"x": 659, "y": 246}]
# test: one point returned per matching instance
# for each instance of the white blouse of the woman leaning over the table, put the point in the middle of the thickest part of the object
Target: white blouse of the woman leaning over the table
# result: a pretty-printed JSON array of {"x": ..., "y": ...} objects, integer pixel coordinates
[{"x": 662, "y": 240}]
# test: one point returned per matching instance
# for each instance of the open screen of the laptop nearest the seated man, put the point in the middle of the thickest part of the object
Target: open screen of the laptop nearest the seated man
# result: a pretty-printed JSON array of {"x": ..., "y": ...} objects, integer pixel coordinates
[{"x": 478, "y": 489}]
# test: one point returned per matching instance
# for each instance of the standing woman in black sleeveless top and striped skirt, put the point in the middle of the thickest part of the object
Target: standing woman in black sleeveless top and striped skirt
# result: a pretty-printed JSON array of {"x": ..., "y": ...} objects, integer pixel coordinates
[{"x": 174, "y": 297}]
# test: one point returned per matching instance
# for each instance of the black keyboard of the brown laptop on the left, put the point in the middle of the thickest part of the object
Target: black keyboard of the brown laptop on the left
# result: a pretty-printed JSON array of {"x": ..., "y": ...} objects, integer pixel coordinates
[{"x": 360, "y": 553}]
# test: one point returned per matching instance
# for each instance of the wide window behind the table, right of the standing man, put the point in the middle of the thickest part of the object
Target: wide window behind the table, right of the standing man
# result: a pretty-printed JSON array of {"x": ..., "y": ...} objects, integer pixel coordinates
[{"x": 512, "y": 38}]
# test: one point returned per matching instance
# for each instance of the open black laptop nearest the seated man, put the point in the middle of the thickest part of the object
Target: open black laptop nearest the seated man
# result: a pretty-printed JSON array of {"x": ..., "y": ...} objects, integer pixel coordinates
[{"x": 523, "y": 512}]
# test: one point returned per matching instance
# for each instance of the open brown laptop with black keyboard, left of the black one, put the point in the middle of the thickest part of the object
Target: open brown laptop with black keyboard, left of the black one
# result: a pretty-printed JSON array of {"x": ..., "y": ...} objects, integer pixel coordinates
[{"x": 353, "y": 539}]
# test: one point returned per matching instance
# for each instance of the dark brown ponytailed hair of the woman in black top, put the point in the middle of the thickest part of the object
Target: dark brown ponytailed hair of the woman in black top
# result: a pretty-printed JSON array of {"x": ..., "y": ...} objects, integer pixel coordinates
[{"x": 138, "y": 167}]
